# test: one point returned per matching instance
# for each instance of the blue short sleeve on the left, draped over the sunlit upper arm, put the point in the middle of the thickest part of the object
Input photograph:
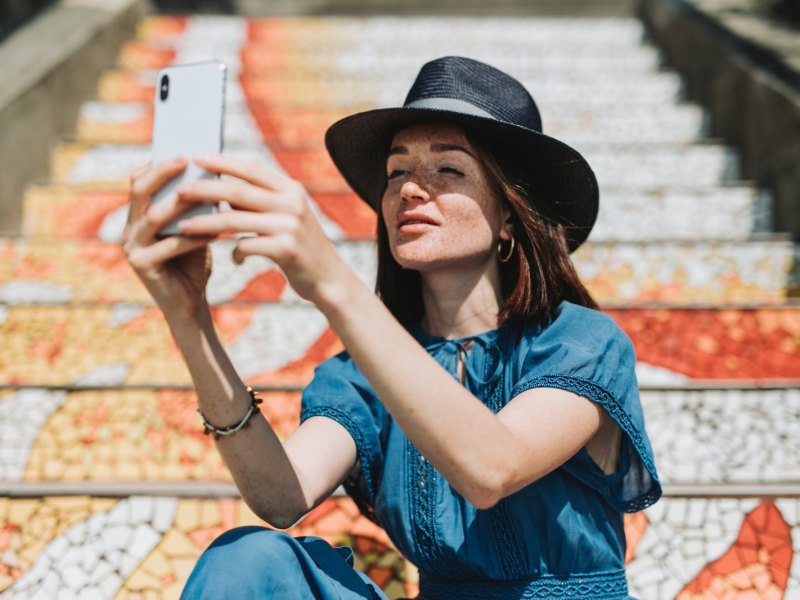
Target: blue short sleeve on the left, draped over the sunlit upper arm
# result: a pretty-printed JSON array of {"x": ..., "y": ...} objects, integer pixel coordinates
[{"x": 339, "y": 391}]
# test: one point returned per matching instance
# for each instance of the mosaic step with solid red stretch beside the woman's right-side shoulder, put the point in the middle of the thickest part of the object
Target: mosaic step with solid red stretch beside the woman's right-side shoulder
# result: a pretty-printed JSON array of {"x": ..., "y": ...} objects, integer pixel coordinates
[{"x": 280, "y": 344}]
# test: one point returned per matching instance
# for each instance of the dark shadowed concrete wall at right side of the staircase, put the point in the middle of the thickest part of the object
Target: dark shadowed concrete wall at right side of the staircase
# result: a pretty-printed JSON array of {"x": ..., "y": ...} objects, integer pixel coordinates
[{"x": 753, "y": 96}]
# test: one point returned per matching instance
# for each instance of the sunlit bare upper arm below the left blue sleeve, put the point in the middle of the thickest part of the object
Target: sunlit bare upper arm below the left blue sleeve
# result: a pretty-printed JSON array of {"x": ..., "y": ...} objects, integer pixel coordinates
[{"x": 323, "y": 455}]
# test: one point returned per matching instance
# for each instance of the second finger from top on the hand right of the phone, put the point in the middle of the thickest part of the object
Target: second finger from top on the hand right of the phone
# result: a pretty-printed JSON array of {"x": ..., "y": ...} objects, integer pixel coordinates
[{"x": 239, "y": 195}]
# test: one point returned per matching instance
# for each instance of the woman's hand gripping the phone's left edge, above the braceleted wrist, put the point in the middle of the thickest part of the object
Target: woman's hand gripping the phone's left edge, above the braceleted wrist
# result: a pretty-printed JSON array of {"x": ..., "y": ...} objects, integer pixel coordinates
[{"x": 174, "y": 269}]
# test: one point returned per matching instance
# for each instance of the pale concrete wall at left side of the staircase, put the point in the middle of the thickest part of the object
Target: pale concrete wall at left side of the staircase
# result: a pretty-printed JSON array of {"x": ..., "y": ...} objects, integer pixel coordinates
[{"x": 47, "y": 68}]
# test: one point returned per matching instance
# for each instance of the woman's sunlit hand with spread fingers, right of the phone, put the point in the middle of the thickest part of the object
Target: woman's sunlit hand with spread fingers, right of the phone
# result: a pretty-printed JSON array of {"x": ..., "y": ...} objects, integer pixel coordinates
[{"x": 276, "y": 209}]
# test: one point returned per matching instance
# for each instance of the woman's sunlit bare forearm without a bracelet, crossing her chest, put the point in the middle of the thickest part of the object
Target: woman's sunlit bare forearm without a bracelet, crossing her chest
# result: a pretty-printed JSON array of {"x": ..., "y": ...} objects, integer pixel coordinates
[{"x": 460, "y": 436}]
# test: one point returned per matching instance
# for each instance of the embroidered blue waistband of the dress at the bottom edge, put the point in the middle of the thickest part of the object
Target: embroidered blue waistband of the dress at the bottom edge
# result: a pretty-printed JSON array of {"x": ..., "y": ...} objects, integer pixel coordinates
[{"x": 600, "y": 586}]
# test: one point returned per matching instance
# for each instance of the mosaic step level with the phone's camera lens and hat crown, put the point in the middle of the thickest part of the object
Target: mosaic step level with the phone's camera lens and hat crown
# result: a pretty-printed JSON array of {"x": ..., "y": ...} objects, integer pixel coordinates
[{"x": 551, "y": 90}]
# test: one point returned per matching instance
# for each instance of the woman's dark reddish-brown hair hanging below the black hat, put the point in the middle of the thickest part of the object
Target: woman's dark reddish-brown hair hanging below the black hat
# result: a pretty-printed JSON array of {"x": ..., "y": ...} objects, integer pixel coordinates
[{"x": 537, "y": 278}]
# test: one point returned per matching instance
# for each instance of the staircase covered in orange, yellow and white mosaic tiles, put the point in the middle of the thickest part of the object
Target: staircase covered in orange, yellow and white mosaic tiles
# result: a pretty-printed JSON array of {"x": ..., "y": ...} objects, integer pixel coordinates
[{"x": 110, "y": 489}]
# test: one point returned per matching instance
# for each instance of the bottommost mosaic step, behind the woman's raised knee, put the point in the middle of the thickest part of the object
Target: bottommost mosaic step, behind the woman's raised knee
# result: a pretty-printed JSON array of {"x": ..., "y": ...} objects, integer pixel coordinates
[{"x": 112, "y": 547}]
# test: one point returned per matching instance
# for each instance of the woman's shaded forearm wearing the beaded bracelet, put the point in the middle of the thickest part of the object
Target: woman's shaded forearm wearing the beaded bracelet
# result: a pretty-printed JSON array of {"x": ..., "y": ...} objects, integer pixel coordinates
[{"x": 254, "y": 455}]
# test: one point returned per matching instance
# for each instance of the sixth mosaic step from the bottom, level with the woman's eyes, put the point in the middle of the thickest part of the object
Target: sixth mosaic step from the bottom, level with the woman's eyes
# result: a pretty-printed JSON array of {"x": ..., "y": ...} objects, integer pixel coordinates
[{"x": 626, "y": 167}]
